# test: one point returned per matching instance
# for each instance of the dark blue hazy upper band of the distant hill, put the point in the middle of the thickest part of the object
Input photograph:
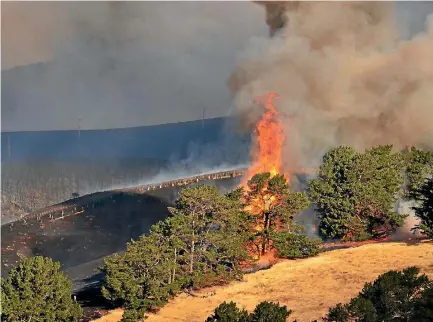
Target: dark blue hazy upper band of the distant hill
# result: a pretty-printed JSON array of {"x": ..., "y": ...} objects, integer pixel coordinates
[{"x": 172, "y": 141}]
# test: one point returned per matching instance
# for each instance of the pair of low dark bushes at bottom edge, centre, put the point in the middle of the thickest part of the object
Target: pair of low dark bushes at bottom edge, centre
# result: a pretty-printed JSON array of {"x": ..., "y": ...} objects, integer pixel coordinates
[{"x": 264, "y": 312}]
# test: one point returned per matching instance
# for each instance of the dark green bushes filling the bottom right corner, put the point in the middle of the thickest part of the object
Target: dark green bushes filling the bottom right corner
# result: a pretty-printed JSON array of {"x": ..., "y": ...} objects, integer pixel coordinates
[{"x": 393, "y": 296}]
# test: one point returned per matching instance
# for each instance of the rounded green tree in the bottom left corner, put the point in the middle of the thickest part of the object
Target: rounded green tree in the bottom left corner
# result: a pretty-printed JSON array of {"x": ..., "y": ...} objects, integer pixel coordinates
[{"x": 36, "y": 290}]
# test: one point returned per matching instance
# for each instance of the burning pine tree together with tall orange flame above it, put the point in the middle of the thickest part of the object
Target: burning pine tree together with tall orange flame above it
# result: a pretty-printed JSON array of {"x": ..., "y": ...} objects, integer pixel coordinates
[{"x": 266, "y": 193}]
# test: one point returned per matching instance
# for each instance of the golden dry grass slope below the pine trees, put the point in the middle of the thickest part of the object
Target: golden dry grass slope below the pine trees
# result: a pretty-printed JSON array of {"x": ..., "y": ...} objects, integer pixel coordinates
[{"x": 309, "y": 286}]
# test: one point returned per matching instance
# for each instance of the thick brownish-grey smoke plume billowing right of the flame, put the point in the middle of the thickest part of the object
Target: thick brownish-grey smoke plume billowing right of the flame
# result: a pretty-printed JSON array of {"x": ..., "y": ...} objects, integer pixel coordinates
[{"x": 344, "y": 76}]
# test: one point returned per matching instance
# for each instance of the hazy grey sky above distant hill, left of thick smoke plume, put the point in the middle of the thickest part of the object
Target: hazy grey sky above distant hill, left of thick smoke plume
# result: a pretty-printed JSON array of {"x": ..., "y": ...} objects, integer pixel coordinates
[{"x": 117, "y": 64}]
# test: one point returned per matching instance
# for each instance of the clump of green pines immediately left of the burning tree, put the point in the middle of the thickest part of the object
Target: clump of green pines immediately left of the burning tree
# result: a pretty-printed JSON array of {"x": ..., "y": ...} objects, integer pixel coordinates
[{"x": 201, "y": 243}]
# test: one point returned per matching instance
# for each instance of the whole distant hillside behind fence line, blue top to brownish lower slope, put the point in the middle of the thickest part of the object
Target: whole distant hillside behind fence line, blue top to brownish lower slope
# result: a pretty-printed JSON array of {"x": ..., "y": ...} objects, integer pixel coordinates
[{"x": 41, "y": 168}]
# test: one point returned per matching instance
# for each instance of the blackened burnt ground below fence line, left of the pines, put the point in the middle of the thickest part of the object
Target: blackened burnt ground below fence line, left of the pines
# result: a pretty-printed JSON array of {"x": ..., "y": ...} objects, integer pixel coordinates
[{"x": 79, "y": 241}]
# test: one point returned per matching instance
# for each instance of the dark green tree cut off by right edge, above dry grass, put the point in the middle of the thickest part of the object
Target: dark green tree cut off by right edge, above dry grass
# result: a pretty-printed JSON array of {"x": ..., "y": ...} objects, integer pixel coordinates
[{"x": 424, "y": 211}]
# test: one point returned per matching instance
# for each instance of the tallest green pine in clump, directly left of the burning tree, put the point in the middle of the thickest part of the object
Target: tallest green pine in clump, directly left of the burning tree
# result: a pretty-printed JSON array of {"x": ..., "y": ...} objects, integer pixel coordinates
[{"x": 213, "y": 230}]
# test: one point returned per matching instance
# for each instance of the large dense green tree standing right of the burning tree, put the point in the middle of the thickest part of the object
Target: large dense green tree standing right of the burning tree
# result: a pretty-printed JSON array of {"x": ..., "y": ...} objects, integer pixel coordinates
[{"x": 355, "y": 193}]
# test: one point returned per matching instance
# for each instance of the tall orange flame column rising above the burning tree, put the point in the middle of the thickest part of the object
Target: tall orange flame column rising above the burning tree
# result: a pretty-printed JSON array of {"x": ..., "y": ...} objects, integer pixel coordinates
[{"x": 269, "y": 140}]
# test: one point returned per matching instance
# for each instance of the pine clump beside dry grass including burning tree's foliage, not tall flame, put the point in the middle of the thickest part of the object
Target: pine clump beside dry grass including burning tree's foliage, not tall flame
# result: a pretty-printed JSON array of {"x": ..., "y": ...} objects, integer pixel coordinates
[{"x": 203, "y": 242}]
